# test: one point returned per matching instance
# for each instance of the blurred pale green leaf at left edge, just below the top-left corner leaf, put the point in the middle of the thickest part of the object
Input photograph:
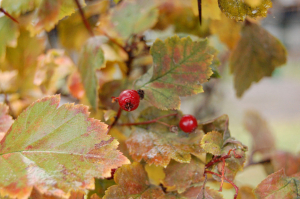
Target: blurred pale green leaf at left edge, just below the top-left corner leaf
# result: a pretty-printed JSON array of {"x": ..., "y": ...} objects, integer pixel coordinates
[{"x": 9, "y": 32}]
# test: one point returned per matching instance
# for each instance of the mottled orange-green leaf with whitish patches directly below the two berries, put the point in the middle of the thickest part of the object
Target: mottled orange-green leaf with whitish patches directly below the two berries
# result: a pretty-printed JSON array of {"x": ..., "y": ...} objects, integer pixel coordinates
[{"x": 155, "y": 143}]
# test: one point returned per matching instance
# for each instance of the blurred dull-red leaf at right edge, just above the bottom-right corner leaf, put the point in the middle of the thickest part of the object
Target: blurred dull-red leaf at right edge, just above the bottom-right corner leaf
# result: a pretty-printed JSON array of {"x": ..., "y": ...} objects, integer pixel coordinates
[{"x": 287, "y": 161}]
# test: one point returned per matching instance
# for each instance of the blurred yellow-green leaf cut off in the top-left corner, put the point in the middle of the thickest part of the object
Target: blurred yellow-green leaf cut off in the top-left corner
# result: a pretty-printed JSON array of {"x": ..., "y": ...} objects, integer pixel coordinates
[{"x": 17, "y": 7}]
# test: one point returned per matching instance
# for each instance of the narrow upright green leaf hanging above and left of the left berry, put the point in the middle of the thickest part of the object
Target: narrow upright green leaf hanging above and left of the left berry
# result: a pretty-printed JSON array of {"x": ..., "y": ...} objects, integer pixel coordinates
[{"x": 91, "y": 59}]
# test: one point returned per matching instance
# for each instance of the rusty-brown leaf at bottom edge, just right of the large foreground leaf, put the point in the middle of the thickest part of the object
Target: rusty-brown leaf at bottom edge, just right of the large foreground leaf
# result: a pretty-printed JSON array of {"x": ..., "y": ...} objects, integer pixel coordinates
[{"x": 132, "y": 182}]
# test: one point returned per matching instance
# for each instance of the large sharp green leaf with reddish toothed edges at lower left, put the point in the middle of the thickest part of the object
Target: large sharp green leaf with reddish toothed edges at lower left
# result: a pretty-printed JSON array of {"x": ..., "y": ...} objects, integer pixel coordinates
[{"x": 55, "y": 150}]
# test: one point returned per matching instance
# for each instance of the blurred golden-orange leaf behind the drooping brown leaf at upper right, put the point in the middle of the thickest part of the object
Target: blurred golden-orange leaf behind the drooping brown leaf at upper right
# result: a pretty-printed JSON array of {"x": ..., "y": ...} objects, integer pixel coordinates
[{"x": 228, "y": 30}]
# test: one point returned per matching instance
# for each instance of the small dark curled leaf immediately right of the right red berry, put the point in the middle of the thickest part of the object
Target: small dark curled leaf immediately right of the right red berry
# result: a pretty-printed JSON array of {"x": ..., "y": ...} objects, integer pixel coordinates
[{"x": 219, "y": 124}]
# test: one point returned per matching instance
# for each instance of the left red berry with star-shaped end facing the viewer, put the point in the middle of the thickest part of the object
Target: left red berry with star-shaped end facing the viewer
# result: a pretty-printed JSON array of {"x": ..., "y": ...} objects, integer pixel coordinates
[{"x": 129, "y": 100}]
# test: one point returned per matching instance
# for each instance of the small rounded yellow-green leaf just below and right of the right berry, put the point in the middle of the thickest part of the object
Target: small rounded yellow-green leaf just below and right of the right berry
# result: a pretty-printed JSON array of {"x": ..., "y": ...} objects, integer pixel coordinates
[{"x": 212, "y": 143}]
